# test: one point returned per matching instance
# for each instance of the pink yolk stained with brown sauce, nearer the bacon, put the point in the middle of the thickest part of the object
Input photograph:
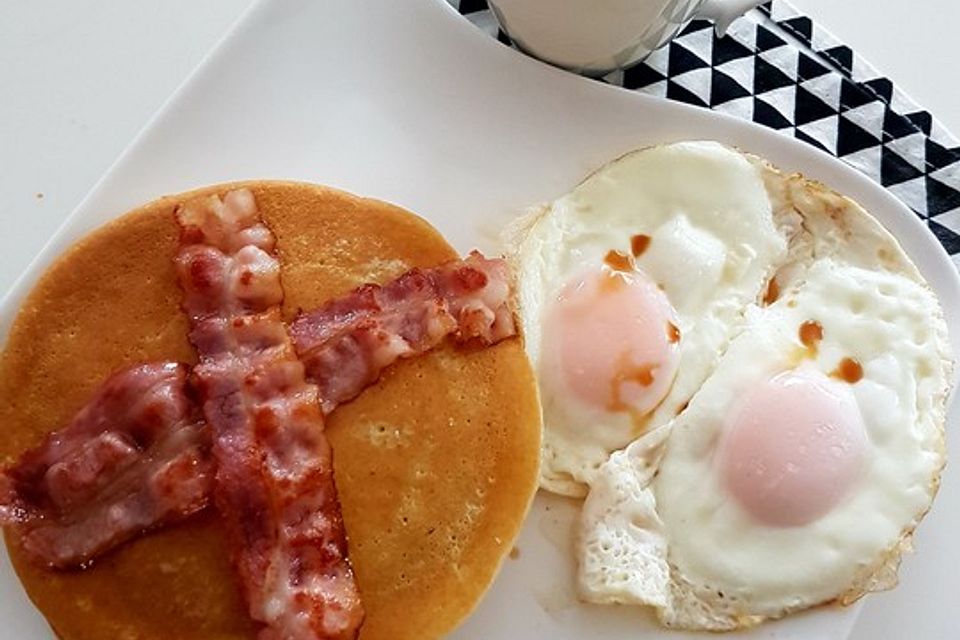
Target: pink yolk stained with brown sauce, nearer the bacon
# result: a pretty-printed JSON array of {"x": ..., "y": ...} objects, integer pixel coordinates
[{"x": 613, "y": 341}]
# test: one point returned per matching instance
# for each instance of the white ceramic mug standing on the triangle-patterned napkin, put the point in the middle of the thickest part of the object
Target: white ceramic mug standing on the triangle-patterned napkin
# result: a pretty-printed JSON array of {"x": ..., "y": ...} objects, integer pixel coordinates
[{"x": 595, "y": 37}]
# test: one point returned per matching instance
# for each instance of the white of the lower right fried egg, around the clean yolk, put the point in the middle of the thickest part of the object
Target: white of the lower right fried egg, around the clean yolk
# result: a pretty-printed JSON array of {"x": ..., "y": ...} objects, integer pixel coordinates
[{"x": 659, "y": 528}]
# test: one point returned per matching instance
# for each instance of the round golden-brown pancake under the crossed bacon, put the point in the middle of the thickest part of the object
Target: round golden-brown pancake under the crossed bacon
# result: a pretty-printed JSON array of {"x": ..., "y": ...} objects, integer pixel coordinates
[{"x": 436, "y": 464}]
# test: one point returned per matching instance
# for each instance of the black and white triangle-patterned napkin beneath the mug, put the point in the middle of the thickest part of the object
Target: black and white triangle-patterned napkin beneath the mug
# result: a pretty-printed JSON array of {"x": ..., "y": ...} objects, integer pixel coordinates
[{"x": 778, "y": 68}]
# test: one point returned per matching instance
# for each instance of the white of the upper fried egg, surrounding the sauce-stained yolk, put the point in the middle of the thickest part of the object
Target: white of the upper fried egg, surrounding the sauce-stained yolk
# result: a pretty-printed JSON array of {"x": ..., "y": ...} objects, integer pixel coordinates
[{"x": 714, "y": 242}]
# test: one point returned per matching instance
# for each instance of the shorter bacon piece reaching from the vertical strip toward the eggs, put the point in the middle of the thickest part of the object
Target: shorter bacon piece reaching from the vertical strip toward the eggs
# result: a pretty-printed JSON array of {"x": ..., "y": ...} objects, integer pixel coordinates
[{"x": 346, "y": 343}]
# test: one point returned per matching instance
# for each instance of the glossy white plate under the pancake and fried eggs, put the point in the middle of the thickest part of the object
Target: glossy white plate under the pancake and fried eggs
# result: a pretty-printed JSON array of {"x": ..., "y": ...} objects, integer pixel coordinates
[{"x": 406, "y": 102}]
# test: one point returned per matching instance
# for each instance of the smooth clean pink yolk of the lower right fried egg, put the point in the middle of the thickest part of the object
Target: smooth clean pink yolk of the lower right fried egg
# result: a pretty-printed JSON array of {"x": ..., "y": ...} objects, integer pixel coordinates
[{"x": 794, "y": 449}]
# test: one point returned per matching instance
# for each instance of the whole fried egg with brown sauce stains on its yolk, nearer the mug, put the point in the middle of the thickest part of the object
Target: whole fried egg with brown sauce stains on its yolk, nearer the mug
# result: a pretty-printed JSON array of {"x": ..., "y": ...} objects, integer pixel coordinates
[{"x": 629, "y": 288}]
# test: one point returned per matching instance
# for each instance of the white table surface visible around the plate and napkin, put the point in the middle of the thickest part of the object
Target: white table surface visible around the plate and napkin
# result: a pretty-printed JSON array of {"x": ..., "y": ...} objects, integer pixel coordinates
[{"x": 79, "y": 78}]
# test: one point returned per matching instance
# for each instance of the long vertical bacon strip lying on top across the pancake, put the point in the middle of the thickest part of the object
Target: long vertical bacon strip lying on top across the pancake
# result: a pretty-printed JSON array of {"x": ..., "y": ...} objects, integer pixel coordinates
[{"x": 274, "y": 481}]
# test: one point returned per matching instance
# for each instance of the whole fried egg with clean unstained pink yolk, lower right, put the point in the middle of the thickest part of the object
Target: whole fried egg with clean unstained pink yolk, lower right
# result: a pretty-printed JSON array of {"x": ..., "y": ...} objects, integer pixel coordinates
[{"x": 803, "y": 464}]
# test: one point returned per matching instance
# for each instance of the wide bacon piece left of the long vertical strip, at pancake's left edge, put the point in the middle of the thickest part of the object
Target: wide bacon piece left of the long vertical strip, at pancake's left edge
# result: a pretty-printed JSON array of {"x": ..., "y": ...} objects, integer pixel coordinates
[{"x": 134, "y": 458}]
